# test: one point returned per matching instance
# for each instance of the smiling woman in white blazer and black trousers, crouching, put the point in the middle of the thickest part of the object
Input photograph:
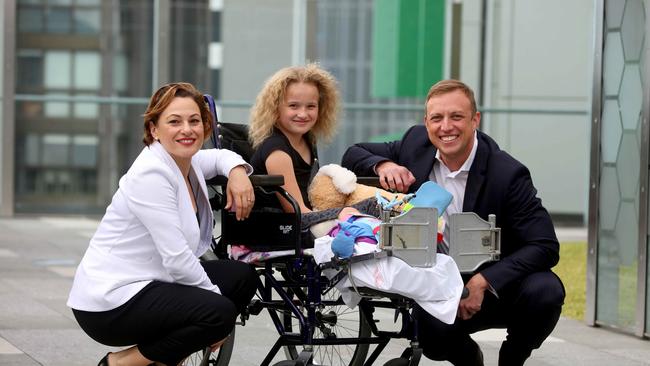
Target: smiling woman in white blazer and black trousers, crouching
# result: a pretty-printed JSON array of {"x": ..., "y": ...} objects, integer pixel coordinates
[{"x": 140, "y": 282}]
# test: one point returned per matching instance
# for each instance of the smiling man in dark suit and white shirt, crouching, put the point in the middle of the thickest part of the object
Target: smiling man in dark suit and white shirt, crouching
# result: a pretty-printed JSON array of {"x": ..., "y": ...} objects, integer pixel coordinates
[{"x": 519, "y": 293}]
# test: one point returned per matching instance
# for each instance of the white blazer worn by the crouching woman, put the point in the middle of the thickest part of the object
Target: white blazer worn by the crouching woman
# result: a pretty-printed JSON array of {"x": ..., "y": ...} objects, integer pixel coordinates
[{"x": 150, "y": 231}]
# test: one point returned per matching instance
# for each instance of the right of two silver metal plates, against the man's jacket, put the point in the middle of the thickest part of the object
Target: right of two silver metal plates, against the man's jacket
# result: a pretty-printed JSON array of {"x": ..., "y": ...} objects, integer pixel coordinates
[{"x": 473, "y": 241}]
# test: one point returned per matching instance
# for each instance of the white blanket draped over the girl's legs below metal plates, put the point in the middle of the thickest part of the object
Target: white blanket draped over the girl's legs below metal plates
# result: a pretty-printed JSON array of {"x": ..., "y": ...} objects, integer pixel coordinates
[{"x": 436, "y": 289}]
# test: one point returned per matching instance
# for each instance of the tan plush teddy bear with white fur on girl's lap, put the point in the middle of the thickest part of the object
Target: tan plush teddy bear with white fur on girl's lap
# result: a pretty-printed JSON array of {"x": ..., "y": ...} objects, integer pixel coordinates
[{"x": 335, "y": 186}]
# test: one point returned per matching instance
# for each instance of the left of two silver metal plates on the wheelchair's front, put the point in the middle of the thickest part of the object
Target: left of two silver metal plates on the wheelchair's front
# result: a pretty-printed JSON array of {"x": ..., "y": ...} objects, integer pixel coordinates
[{"x": 411, "y": 236}]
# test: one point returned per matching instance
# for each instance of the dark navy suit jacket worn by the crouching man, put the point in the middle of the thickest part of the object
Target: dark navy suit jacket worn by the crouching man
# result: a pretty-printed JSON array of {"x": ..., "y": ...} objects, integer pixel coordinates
[{"x": 497, "y": 184}]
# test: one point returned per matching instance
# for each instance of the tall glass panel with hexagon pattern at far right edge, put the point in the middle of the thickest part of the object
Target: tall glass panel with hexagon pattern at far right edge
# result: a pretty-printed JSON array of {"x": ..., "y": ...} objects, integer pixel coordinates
[{"x": 617, "y": 287}]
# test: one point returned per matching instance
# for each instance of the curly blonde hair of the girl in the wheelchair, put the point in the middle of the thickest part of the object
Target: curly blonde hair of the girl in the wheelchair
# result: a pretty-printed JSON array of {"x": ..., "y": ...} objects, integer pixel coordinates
[{"x": 265, "y": 112}]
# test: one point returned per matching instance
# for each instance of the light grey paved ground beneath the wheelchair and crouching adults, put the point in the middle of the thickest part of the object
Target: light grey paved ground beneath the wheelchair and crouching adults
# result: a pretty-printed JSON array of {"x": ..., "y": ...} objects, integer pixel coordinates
[{"x": 38, "y": 256}]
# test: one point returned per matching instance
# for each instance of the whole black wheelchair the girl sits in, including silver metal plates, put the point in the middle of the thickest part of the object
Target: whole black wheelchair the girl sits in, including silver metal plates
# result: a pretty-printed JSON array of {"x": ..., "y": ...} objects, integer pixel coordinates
[{"x": 314, "y": 325}]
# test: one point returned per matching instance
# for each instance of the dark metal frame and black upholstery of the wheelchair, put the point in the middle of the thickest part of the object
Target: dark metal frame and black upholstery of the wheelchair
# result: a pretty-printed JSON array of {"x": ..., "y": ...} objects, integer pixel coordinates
[{"x": 302, "y": 288}]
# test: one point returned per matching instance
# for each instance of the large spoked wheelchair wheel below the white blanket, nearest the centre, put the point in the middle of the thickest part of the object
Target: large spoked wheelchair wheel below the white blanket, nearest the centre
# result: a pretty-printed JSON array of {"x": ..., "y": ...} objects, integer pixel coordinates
[{"x": 334, "y": 320}]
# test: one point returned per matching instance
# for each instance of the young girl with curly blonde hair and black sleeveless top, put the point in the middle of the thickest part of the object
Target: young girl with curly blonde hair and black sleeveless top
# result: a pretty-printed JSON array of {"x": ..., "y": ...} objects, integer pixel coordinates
[{"x": 297, "y": 106}]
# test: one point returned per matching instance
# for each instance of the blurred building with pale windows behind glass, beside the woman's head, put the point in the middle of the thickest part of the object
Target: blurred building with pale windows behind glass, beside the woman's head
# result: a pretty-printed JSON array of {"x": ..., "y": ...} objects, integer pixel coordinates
[{"x": 84, "y": 71}]
